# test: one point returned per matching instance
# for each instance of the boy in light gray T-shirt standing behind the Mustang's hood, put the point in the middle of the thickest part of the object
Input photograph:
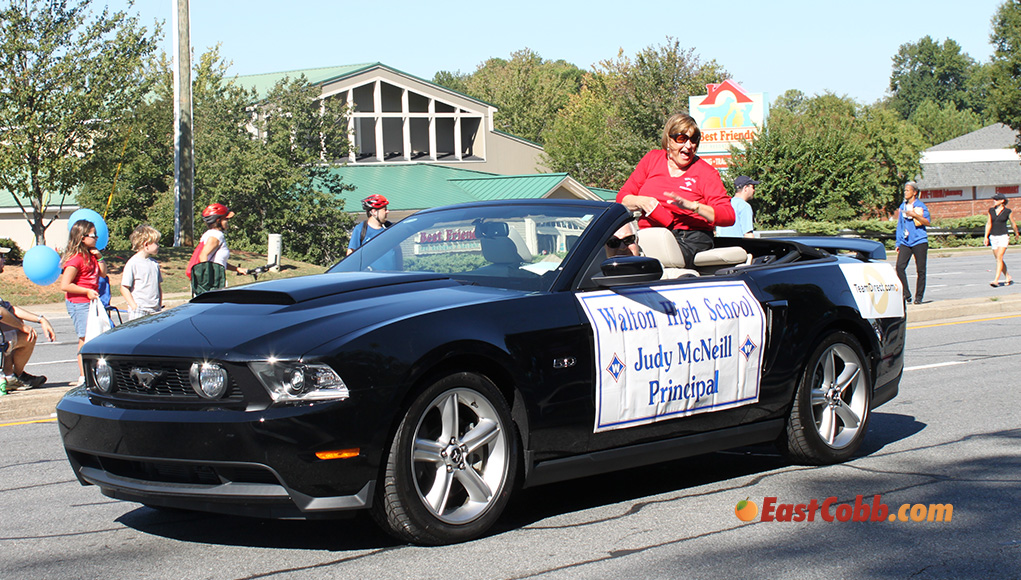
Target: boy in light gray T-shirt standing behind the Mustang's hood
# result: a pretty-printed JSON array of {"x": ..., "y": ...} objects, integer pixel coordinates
[{"x": 140, "y": 284}]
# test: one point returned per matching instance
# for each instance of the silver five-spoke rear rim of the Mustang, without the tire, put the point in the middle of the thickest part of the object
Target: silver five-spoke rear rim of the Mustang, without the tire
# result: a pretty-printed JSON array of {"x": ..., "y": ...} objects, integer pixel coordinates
[{"x": 840, "y": 398}]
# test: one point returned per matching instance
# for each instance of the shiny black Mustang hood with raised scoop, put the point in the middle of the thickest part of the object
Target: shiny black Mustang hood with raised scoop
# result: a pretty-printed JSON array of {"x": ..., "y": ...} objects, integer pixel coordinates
[{"x": 286, "y": 318}]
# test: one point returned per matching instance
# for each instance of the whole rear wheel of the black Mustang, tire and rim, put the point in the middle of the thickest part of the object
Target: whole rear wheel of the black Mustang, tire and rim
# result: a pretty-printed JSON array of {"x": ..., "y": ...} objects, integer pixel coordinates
[{"x": 832, "y": 409}]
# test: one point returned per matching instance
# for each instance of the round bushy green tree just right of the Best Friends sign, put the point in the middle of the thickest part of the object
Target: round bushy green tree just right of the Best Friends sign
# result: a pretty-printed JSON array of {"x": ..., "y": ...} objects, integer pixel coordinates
[{"x": 831, "y": 161}]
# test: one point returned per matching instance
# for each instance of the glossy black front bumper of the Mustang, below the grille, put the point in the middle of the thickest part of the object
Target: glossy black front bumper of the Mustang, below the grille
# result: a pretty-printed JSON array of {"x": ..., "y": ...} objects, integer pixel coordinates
[{"x": 260, "y": 464}]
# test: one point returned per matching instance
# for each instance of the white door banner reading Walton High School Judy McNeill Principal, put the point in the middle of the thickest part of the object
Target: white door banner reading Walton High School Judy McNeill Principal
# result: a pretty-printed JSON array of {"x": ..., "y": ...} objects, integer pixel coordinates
[{"x": 669, "y": 352}]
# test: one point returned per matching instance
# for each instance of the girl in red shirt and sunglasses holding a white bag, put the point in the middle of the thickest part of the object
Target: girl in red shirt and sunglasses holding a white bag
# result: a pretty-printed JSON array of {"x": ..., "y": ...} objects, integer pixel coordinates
[{"x": 83, "y": 267}]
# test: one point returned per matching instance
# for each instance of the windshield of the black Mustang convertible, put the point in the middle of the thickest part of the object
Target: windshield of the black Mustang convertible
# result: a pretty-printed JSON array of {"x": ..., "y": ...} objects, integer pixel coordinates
[{"x": 507, "y": 247}]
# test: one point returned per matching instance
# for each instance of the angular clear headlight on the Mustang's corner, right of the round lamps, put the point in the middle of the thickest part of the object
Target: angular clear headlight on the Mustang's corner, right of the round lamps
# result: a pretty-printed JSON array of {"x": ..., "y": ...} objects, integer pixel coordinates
[{"x": 297, "y": 381}]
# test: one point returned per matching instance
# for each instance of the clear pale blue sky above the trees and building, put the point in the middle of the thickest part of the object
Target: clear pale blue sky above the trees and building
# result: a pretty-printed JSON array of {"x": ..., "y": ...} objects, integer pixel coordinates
[{"x": 769, "y": 47}]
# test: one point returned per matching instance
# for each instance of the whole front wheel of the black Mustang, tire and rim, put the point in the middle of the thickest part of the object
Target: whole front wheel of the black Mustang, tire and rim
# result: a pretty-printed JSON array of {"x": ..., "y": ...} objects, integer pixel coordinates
[{"x": 452, "y": 466}]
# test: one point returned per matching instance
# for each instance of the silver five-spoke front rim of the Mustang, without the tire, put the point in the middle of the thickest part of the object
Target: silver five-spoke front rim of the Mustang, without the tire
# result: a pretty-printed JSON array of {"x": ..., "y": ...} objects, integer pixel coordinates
[{"x": 461, "y": 456}]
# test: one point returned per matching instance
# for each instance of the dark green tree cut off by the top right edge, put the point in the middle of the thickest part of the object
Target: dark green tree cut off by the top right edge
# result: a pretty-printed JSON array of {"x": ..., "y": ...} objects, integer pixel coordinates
[{"x": 1005, "y": 71}]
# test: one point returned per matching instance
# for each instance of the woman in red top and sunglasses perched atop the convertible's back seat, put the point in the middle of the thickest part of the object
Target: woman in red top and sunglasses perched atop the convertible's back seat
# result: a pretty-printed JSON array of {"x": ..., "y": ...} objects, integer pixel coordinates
[{"x": 676, "y": 189}]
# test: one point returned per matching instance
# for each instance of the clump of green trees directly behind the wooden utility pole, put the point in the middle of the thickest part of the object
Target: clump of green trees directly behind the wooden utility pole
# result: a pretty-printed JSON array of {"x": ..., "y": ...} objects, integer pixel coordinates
[{"x": 268, "y": 161}]
